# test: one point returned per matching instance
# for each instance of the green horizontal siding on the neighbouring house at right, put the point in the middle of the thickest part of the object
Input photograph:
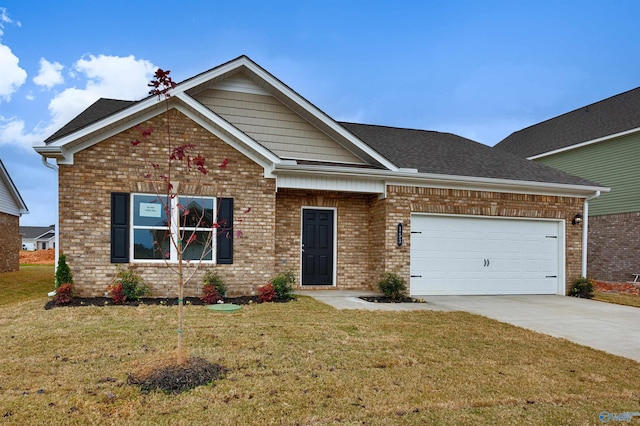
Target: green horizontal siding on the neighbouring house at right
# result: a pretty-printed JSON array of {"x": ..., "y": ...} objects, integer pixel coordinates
[{"x": 613, "y": 164}]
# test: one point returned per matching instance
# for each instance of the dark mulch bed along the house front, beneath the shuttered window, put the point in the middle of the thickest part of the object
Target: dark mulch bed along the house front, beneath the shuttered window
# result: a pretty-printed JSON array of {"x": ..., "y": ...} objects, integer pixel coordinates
[{"x": 107, "y": 301}]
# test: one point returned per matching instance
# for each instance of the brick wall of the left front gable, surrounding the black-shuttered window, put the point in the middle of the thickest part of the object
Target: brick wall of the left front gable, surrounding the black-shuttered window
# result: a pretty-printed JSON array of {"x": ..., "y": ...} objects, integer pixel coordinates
[{"x": 113, "y": 165}]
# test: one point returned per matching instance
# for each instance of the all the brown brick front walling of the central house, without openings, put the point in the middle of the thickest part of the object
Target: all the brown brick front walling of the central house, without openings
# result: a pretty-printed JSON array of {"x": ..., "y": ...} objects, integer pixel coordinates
[{"x": 366, "y": 224}]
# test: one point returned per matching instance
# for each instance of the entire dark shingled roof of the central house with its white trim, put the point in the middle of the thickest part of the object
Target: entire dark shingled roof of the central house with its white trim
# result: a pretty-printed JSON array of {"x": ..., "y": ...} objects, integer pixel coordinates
[{"x": 392, "y": 153}]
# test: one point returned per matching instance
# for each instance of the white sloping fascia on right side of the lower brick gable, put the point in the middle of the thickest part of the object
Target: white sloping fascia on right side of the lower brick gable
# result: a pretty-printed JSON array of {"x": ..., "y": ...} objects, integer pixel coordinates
[{"x": 223, "y": 129}]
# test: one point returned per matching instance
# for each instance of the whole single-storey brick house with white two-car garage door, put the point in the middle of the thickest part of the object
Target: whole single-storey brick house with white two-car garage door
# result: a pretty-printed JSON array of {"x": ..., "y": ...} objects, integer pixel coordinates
[{"x": 339, "y": 204}]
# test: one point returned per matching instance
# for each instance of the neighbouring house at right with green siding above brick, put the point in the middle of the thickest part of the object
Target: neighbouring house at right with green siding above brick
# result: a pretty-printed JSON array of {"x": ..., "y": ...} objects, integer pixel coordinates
[{"x": 599, "y": 142}]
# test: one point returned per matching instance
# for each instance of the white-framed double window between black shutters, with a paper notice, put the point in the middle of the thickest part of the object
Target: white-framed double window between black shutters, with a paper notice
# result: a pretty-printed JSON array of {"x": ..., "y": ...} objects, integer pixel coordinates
[{"x": 153, "y": 228}]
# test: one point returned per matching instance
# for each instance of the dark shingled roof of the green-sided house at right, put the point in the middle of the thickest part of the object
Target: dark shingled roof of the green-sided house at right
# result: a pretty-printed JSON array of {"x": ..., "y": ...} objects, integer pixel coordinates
[{"x": 610, "y": 117}]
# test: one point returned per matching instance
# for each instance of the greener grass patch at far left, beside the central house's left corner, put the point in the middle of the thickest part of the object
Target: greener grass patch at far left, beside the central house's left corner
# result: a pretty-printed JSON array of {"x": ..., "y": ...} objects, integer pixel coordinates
[{"x": 31, "y": 282}]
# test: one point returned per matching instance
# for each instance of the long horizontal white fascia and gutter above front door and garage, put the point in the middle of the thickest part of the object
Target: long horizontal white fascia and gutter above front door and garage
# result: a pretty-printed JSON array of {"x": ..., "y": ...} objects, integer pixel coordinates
[{"x": 449, "y": 181}]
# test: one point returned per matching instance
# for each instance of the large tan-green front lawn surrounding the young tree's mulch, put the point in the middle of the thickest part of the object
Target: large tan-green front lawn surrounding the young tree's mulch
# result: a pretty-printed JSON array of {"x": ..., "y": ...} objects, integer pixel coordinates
[{"x": 303, "y": 363}]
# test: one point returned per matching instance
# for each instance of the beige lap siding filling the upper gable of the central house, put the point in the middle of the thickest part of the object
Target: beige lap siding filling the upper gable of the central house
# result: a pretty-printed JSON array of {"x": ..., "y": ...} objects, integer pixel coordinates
[{"x": 275, "y": 126}]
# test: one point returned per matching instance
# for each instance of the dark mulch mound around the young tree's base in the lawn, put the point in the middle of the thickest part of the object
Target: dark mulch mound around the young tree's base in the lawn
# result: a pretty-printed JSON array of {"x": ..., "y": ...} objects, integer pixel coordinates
[{"x": 170, "y": 377}]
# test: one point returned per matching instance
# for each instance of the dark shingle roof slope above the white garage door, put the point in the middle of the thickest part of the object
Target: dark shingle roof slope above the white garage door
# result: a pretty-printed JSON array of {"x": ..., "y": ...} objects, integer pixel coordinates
[{"x": 448, "y": 154}]
